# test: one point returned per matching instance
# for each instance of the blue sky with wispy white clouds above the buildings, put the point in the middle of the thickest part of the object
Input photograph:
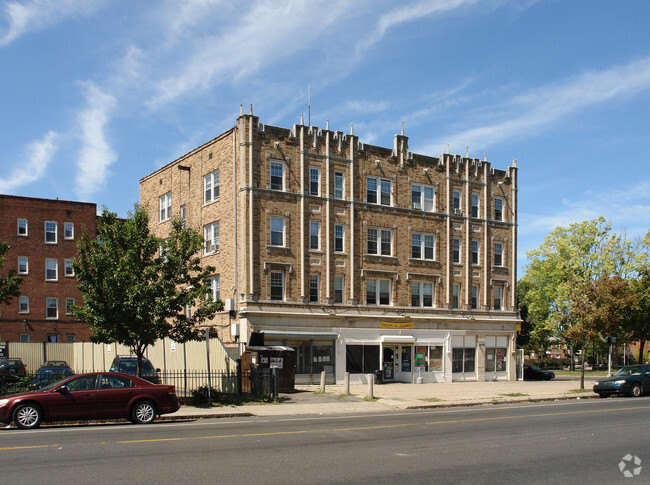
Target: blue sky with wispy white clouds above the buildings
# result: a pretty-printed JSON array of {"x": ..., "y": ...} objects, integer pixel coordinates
[{"x": 97, "y": 94}]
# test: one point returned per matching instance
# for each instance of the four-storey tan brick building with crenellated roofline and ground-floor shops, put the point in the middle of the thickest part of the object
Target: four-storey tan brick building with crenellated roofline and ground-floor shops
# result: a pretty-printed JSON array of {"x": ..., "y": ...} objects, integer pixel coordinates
[{"x": 359, "y": 257}]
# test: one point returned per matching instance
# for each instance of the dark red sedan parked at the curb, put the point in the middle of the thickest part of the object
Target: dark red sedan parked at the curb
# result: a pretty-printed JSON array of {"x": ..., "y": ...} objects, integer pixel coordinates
[{"x": 97, "y": 395}]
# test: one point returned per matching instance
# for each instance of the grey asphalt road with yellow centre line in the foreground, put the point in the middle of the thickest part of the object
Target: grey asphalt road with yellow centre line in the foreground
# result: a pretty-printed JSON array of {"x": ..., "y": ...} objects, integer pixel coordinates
[{"x": 562, "y": 442}]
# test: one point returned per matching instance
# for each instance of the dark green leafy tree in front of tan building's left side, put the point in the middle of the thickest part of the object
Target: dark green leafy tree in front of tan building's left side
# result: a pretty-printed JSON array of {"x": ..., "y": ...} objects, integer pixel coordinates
[{"x": 137, "y": 287}]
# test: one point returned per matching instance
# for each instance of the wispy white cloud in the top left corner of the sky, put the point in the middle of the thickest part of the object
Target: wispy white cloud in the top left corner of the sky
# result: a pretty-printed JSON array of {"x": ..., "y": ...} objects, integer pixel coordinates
[{"x": 38, "y": 14}]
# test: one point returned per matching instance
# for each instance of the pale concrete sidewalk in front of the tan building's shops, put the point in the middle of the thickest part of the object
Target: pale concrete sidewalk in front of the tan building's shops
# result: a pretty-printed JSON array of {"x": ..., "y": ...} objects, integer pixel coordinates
[{"x": 397, "y": 396}]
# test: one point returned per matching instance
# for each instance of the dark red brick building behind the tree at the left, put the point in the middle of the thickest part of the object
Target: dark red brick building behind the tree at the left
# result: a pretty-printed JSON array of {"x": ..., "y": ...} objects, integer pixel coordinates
[{"x": 42, "y": 234}]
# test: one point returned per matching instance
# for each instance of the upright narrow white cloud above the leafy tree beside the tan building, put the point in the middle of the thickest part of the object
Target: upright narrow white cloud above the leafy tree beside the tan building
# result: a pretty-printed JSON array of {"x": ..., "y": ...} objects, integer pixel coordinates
[{"x": 95, "y": 155}]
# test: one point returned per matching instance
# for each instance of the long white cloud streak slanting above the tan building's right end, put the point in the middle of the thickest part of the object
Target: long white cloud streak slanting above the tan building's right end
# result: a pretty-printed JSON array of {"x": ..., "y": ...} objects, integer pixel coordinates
[{"x": 526, "y": 114}]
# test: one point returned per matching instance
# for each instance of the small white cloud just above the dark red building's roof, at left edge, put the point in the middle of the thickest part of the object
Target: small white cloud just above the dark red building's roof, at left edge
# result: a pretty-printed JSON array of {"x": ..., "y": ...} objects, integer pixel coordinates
[{"x": 39, "y": 154}]
